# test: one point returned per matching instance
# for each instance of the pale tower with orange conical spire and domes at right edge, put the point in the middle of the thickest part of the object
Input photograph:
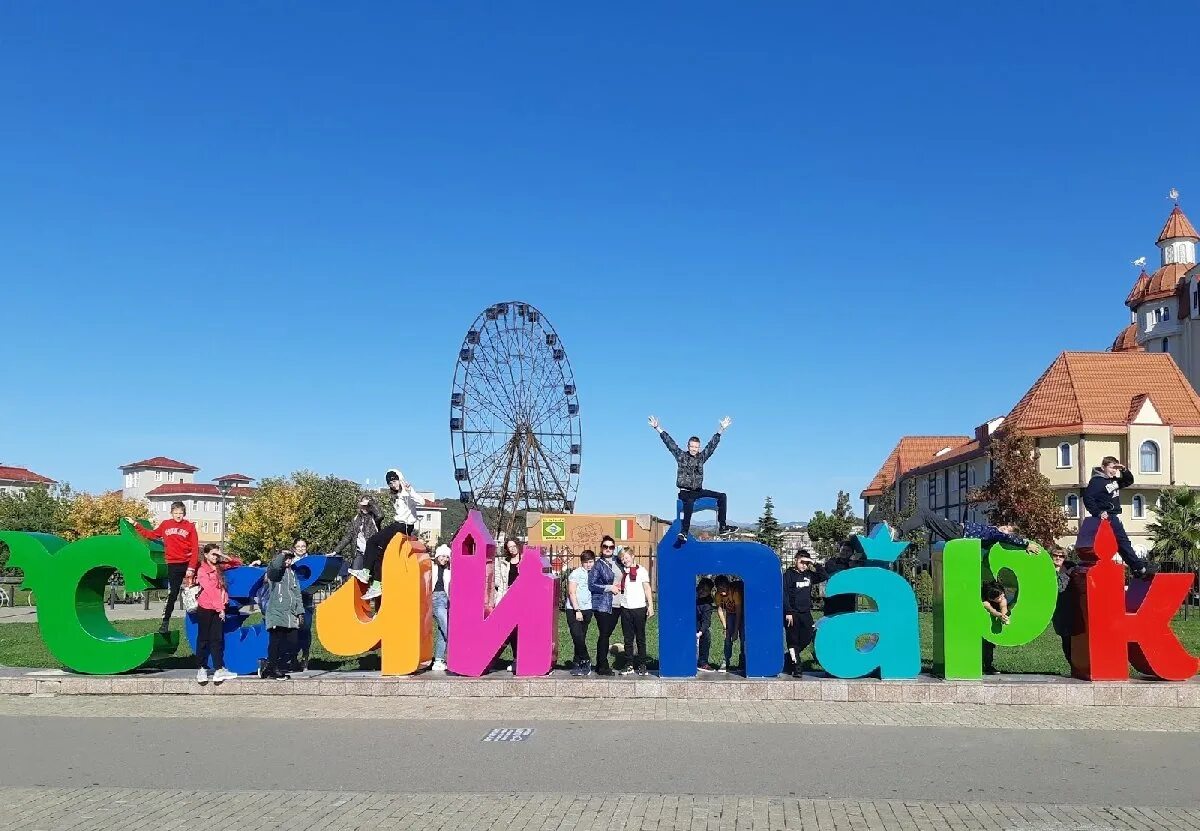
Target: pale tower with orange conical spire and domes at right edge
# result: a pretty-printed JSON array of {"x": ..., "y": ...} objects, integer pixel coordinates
[{"x": 1165, "y": 307}]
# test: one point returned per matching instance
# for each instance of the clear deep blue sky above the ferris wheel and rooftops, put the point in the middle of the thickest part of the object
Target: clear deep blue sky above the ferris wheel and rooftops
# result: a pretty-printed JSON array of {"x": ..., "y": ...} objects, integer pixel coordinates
[{"x": 251, "y": 236}]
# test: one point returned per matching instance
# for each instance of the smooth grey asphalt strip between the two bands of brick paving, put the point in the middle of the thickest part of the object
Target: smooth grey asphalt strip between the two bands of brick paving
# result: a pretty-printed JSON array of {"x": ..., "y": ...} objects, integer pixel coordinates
[{"x": 865, "y": 763}]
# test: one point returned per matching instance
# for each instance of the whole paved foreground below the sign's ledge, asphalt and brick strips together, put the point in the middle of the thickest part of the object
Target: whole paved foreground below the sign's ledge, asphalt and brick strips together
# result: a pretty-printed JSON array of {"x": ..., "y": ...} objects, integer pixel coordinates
[{"x": 262, "y": 762}]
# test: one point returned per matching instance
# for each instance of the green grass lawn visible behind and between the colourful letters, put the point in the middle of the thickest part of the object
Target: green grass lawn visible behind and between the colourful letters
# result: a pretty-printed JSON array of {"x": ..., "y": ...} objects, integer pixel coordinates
[{"x": 22, "y": 647}]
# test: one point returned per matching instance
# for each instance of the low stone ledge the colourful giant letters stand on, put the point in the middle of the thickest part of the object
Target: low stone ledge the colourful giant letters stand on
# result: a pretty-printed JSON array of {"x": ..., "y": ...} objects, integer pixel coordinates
[{"x": 1010, "y": 690}]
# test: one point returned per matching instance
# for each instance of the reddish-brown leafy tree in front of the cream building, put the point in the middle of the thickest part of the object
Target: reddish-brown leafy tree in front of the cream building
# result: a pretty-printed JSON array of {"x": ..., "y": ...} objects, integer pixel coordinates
[{"x": 1018, "y": 493}]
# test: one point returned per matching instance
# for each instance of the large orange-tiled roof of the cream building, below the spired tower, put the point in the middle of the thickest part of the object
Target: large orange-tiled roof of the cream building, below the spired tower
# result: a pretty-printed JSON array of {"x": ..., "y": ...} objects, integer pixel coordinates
[{"x": 1084, "y": 391}]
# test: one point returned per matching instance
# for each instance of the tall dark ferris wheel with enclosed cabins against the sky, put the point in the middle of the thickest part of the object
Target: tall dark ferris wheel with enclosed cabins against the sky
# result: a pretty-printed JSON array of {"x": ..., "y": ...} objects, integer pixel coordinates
[{"x": 515, "y": 417}]
